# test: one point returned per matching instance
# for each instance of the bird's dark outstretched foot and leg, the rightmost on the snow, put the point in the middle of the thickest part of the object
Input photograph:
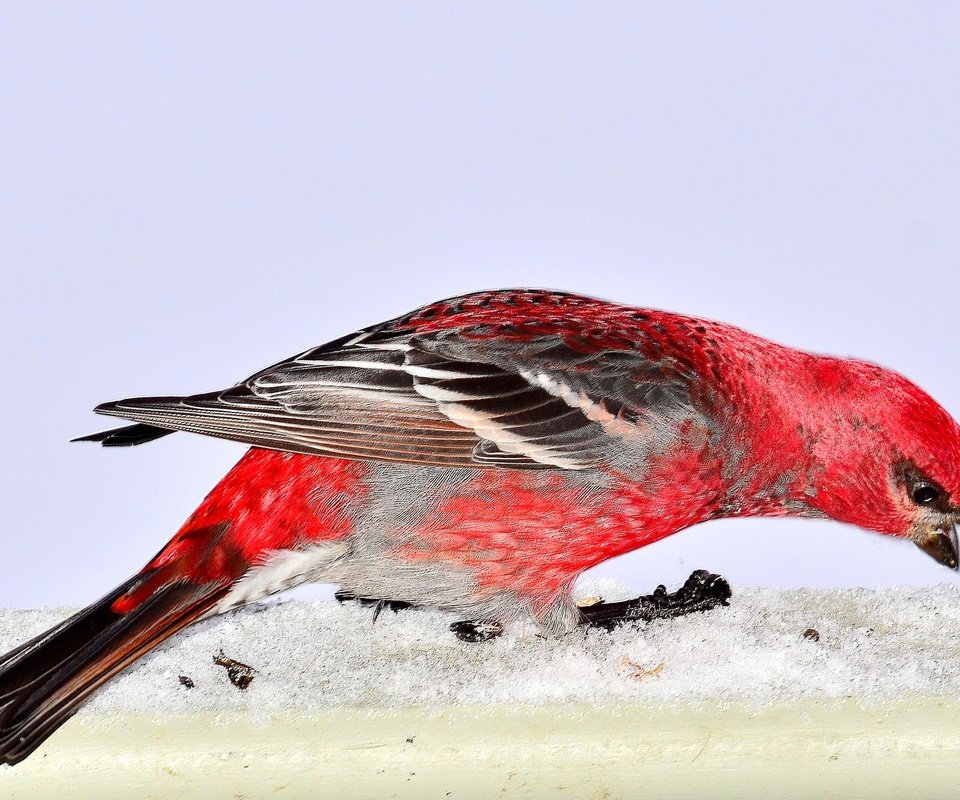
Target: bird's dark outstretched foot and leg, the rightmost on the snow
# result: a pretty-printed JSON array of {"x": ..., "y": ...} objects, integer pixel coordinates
[{"x": 701, "y": 592}]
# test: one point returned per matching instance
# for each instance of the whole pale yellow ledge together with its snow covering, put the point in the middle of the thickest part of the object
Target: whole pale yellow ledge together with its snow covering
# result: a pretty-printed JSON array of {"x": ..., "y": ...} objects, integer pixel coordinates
[{"x": 784, "y": 694}]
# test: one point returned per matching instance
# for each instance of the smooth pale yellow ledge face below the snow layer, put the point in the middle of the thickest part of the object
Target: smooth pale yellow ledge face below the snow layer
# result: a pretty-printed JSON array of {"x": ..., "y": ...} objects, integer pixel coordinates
[{"x": 802, "y": 749}]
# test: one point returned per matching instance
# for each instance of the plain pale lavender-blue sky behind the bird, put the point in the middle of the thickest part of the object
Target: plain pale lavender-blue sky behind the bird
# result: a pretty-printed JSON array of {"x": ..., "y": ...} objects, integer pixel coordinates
[{"x": 191, "y": 191}]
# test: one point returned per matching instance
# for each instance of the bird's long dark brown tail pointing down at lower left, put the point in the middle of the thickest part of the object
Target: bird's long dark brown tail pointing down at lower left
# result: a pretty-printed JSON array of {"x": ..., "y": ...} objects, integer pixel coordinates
[{"x": 43, "y": 682}]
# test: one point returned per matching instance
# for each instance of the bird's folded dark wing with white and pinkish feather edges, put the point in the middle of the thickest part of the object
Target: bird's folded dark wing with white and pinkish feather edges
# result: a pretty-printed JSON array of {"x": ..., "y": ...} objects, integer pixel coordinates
[{"x": 460, "y": 394}]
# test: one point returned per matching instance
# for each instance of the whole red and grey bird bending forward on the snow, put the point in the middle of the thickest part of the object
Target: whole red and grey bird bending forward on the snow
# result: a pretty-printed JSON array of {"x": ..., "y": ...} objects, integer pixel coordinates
[{"x": 479, "y": 453}]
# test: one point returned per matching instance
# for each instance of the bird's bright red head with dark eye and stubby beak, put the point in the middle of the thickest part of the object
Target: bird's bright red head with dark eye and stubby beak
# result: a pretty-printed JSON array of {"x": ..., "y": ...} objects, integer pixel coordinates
[{"x": 886, "y": 456}]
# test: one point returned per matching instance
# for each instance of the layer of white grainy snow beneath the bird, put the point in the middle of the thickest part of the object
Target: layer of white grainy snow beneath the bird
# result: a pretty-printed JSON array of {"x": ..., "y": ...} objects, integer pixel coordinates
[{"x": 875, "y": 646}]
